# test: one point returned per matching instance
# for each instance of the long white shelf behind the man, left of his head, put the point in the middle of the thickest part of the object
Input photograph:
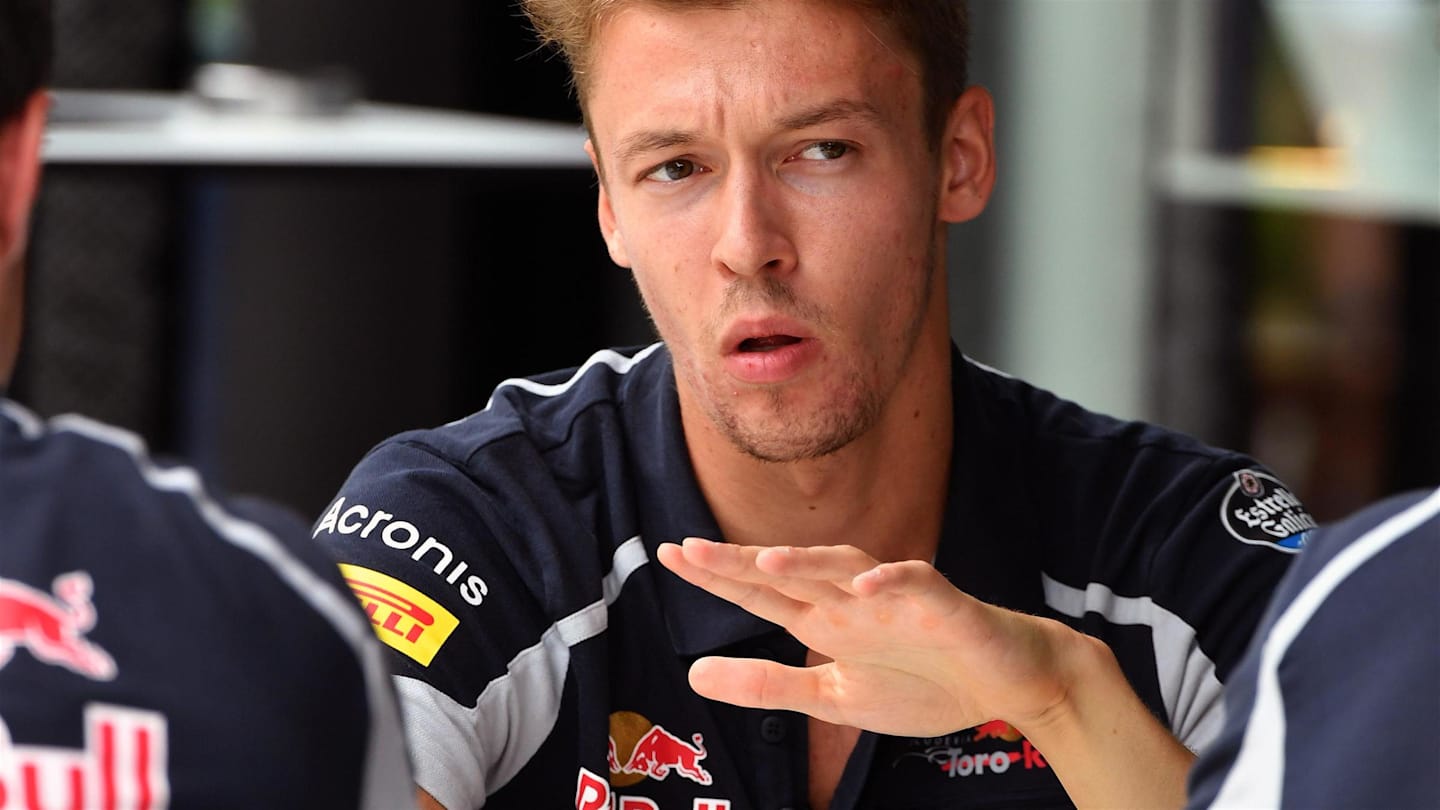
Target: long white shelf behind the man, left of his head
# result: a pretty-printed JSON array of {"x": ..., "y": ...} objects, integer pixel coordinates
[{"x": 91, "y": 128}]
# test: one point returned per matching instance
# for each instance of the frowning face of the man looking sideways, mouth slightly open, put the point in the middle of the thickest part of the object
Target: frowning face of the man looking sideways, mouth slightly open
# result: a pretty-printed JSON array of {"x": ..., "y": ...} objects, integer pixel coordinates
[{"x": 767, "y": 175}]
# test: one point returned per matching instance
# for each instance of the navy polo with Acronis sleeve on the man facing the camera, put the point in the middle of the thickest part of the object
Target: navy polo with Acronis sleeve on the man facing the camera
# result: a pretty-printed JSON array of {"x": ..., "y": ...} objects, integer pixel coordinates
[{"x": 542, "y": 658}]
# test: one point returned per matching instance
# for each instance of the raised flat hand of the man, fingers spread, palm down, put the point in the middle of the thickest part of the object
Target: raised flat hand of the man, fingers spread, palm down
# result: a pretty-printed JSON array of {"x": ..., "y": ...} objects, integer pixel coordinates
[{"x": 909, "y": 654}]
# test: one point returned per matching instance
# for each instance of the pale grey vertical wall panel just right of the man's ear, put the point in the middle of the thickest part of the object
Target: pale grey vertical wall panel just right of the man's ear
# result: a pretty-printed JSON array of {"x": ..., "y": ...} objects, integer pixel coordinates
[{"x": 1072, "y": 211}]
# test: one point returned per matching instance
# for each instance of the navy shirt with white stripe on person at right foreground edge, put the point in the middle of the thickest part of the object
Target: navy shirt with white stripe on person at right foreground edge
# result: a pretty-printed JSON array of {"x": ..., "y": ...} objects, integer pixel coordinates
[{"x": 1337, "y": 703}]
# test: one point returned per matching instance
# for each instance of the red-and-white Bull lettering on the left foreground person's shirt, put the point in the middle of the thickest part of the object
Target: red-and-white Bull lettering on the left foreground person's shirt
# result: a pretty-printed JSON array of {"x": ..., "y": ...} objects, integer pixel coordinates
[{"x": 123, "y": 765}]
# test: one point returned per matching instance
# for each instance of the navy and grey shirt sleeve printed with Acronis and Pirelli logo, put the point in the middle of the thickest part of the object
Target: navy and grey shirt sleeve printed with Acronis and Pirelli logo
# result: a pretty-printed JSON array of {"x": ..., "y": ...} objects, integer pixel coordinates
[{"x": 428, "y": 554}]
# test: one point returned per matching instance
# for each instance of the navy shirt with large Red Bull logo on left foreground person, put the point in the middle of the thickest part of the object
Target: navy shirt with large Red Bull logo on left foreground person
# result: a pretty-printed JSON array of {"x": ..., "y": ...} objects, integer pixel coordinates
[{"x": 159, "y": 648}]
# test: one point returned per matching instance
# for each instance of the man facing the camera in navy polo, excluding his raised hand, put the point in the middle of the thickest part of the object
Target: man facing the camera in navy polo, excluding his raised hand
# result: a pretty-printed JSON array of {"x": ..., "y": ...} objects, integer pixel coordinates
[{"x": 778, "y": 175}]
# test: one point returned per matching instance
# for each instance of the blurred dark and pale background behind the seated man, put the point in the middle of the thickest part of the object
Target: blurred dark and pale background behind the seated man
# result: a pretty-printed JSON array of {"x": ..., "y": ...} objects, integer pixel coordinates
[{"x": 1220, "y": 215}]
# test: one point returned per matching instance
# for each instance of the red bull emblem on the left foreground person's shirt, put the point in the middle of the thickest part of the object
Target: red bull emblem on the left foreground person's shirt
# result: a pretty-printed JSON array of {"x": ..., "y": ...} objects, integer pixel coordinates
[{"x": 53, "y": 626}]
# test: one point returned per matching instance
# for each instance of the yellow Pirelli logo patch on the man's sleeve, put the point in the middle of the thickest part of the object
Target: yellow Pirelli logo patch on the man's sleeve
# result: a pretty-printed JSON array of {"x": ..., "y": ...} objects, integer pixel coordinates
[{"x": 404, "y": 618}]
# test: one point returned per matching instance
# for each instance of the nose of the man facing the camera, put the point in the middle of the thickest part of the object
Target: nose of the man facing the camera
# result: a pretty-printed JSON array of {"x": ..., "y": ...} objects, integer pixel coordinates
[{"x": 754, "y": 233}]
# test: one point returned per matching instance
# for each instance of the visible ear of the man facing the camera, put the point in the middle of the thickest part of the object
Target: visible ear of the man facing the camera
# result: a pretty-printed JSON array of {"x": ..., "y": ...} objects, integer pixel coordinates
[{"x": 968, "y": 156}]
